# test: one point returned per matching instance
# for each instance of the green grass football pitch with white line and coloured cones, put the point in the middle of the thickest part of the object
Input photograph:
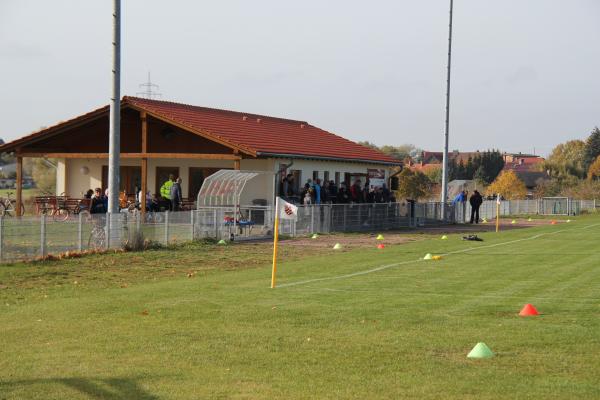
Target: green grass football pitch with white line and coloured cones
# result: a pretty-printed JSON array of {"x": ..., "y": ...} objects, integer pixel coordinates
[{"x": 199, "y": 321}]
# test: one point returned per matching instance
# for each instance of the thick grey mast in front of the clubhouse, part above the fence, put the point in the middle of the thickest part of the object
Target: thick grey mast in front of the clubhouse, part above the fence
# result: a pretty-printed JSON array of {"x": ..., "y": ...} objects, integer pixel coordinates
[{"x": 114, "y": 147}]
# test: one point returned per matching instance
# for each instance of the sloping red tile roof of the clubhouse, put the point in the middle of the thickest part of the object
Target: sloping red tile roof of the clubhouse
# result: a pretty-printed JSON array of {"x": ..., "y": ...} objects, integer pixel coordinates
[{"x": 262, "y": 135}]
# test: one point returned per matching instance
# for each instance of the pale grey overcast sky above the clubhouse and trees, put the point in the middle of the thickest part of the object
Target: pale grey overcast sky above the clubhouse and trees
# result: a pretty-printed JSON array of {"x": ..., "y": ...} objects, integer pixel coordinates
[{"x": 525, "y": 73}]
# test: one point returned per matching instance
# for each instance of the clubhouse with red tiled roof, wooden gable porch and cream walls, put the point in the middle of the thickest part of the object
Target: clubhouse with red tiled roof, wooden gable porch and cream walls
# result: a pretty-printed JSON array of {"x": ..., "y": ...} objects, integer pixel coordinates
[{"x": 159, "y": 138}]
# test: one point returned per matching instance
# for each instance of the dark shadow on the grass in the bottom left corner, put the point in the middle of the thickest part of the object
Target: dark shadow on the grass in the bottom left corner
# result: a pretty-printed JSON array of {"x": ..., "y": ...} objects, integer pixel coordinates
[{"x": 93, "y": 388}]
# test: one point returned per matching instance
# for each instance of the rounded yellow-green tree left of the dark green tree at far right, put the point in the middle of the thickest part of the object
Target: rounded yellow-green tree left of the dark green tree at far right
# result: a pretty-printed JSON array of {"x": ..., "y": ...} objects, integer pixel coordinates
[{"x": 567, "y": 159}]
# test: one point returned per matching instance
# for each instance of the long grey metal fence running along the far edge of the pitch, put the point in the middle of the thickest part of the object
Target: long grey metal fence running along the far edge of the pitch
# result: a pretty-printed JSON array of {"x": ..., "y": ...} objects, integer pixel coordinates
[{"x": 26, "y": 238}]
